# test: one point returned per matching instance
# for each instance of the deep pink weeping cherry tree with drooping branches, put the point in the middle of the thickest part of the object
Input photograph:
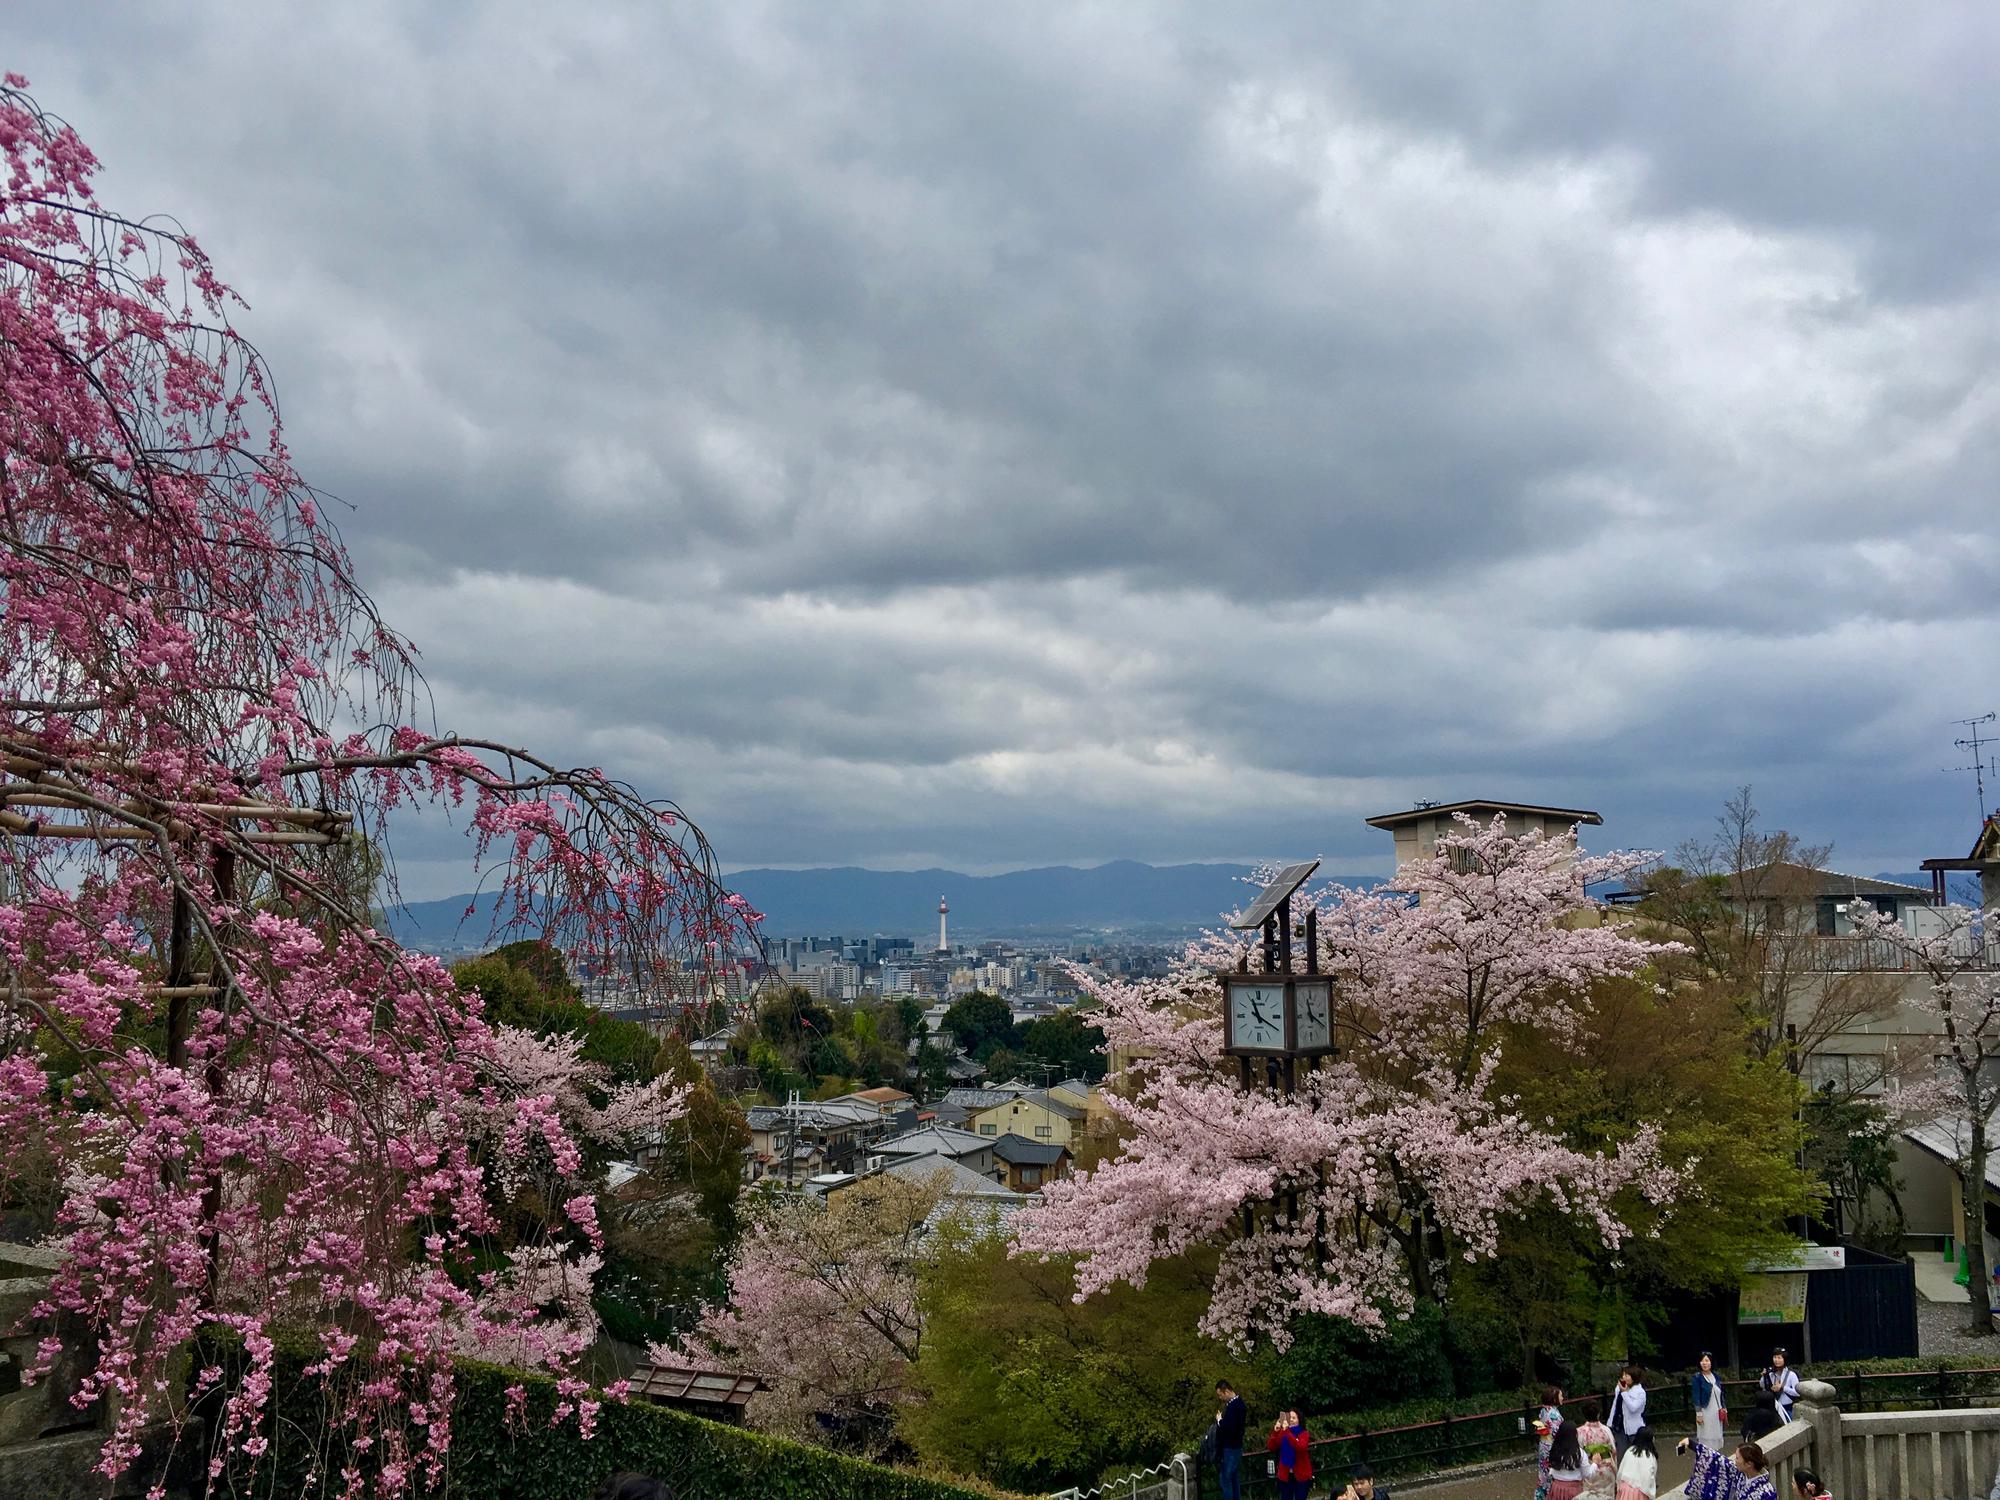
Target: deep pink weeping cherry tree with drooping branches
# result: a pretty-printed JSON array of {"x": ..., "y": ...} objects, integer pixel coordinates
[{"x": 261, "y": 1109}]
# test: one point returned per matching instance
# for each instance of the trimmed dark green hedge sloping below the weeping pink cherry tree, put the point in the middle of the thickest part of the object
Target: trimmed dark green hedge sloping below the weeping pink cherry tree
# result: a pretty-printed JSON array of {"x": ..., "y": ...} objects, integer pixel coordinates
[{"x": 531, "y": 1459}]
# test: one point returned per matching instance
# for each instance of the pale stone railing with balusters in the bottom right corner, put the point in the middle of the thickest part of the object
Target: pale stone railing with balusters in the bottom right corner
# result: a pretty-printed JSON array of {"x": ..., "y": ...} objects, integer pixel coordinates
[{"x": 1951, "y": 1455}]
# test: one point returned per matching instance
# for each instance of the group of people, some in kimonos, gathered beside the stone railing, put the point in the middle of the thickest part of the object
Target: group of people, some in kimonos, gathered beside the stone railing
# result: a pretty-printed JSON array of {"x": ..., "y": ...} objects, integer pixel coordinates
[{"x": 1597, "y": 1461}]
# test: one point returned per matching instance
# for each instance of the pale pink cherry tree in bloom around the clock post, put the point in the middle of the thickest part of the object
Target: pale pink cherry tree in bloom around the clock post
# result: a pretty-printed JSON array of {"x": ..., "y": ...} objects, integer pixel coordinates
[{"x": 1389, "y": 1163}]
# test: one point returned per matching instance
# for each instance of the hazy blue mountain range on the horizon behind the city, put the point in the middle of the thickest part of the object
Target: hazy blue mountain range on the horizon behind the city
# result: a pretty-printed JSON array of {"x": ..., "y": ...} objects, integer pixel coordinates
[{"x": 1143, "y": 901}]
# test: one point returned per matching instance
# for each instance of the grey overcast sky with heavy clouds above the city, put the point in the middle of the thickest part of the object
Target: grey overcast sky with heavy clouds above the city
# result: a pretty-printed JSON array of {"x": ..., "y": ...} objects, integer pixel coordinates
[{"x": 1017, "y": 435}]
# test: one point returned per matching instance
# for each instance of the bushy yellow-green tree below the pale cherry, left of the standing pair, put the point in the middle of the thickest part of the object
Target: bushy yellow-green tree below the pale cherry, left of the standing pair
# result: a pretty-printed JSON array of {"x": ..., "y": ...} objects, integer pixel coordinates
[{"x": 1035, "y": 1391}]
